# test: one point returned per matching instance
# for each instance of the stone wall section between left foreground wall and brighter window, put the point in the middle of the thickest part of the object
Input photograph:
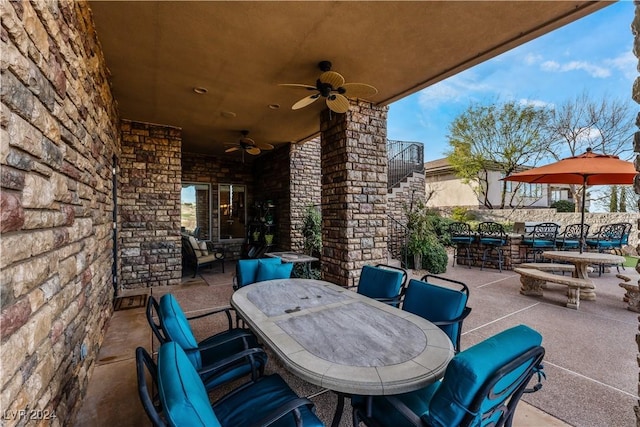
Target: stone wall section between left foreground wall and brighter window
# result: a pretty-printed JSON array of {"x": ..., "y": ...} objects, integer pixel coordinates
[{"x": 150, "y": 250}]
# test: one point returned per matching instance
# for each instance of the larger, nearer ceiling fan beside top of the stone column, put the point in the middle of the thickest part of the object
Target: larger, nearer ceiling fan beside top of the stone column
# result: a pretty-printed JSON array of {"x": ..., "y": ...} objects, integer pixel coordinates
[{"x": 331, "y": 86}]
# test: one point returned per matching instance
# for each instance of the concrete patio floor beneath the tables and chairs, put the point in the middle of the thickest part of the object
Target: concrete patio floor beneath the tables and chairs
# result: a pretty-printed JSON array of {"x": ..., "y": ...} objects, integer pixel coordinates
[{"x": 590, "y": 359}]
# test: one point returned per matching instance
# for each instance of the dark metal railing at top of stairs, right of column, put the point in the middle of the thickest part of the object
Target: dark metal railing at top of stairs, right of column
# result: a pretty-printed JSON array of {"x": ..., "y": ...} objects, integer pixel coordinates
[{"x": 405, "y": 158}]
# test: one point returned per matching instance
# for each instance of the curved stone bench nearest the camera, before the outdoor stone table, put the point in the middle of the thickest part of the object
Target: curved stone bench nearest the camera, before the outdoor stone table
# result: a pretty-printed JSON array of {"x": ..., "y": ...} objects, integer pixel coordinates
[{"x": 533, "y": 280}]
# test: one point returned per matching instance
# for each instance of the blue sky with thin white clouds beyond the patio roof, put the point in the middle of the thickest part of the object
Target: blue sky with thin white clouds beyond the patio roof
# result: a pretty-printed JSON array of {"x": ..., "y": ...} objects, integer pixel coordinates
[{"x": 593, "y": 54}]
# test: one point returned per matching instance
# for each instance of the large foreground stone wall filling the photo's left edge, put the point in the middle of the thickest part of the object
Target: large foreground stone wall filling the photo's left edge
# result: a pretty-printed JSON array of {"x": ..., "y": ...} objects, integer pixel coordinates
[{"x": 59, "y": 133}]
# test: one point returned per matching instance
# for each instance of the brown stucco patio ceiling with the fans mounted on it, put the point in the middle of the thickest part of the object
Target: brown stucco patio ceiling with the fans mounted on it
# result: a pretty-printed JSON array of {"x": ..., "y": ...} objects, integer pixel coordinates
[{"x": 158, "y": 52}]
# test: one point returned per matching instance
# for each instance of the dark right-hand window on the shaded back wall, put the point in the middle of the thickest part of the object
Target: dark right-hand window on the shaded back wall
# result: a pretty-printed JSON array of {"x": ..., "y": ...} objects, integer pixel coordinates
[{"x": 232, "y": 211}]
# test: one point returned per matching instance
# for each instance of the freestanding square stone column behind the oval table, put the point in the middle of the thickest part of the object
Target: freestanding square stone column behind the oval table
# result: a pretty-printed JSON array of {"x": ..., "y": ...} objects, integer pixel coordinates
[{"x": 354, "y": 191}]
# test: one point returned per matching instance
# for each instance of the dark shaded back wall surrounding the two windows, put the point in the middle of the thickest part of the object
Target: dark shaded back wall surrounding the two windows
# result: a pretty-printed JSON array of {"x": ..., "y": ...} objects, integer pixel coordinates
[{"x": 214, "y": 170}]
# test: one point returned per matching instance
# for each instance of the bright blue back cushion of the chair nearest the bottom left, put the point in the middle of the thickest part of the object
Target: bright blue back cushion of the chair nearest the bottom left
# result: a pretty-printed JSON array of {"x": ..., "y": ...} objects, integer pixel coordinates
[{"x": 184, "y": 398}]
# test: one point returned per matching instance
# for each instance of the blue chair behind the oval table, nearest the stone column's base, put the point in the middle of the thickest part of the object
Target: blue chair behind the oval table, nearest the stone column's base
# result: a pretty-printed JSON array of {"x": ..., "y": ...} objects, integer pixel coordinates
[{"x": 383, "y": 282}]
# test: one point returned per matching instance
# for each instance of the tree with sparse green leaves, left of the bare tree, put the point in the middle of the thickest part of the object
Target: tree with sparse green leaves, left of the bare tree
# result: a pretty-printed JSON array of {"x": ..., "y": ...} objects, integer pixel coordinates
[{"x": 497, "y": 137}]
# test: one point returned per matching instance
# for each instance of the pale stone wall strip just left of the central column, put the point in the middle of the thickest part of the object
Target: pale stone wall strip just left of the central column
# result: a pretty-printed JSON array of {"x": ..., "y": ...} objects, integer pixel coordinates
[{"x": 305, "y": 187}]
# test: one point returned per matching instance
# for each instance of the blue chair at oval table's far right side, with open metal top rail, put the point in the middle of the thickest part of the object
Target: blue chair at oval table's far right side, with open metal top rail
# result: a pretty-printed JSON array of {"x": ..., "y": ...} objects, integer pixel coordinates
[{"x": 443, "y": 306}]
